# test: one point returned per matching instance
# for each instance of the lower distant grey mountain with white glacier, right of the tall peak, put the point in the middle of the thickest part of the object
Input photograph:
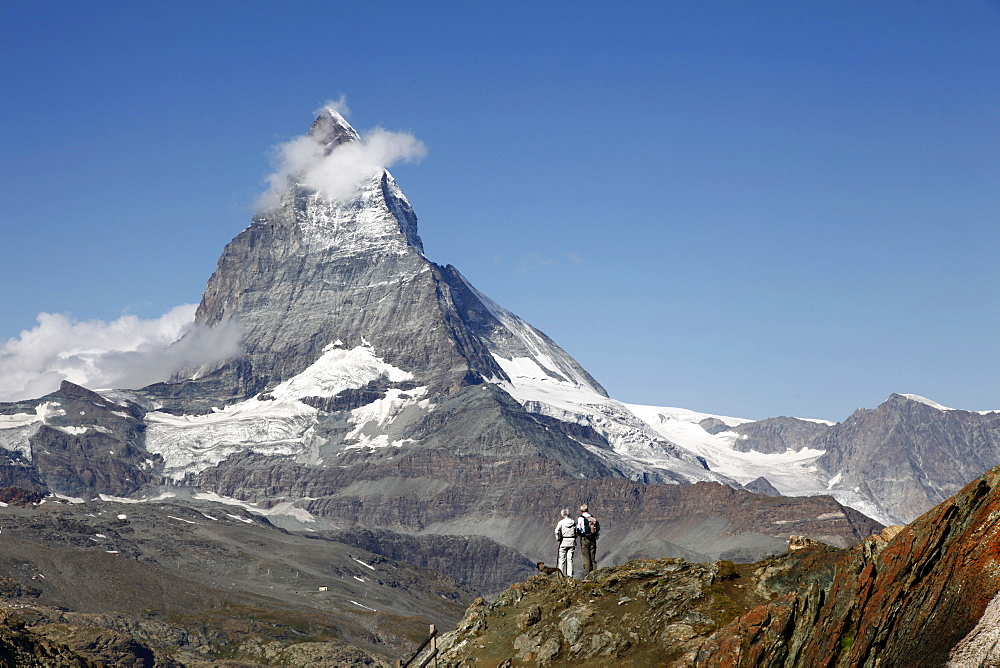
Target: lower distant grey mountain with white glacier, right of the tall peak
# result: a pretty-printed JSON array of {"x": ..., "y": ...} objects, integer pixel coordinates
[{"x": 891, "y": 463}]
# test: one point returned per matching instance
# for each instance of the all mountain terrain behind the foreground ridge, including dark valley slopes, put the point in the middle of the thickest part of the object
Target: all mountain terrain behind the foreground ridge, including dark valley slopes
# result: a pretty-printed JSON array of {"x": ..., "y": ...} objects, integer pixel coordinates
[{"x": 389, "y": 427}]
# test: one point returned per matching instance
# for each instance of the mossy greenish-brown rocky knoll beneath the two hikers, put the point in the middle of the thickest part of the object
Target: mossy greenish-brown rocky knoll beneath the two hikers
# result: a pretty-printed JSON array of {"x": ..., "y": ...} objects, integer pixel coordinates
[{"x": 643, "y": 614}]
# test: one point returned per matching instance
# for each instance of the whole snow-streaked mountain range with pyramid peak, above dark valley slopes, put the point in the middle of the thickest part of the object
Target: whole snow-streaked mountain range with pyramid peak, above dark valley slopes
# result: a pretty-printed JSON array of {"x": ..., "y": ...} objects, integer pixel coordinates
[{"x": 378, "y": 388}]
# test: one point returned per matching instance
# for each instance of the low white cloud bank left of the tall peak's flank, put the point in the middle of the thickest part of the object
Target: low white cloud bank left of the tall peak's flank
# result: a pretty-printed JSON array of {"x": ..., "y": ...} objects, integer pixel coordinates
[{"x": 126, "y": 353}]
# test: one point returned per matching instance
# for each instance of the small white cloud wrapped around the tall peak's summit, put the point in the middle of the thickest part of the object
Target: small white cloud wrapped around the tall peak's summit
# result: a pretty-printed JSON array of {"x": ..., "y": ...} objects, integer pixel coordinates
[{"x": 337, "y": 175}]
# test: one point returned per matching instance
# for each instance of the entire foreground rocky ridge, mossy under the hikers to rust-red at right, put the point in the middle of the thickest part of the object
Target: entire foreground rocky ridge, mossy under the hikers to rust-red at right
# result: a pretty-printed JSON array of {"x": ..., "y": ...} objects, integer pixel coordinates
[{"x": 921, "y": 595}]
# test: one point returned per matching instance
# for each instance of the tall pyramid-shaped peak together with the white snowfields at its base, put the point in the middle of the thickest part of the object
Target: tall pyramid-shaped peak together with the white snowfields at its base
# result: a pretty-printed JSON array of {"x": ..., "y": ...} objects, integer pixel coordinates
[{"x": 337, "y": 297}]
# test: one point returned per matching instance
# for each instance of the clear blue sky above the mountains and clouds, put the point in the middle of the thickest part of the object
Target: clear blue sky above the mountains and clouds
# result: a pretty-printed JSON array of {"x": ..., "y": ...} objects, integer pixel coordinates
[{"x": 754, "y": 209}]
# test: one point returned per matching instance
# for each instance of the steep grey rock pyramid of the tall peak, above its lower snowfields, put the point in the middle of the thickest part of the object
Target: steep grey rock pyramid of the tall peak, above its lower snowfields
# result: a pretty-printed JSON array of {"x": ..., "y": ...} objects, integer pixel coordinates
[{"x": 315, "y": 271}]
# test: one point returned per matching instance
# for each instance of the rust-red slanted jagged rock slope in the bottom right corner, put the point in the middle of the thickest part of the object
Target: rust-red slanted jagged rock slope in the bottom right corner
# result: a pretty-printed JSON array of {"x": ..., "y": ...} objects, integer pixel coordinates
[{"x": 913, "y": 597}]
